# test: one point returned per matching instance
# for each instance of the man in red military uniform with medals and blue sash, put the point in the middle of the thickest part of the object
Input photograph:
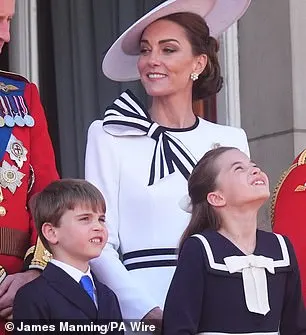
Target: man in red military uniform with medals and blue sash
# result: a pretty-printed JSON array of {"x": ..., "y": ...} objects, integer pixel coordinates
[{"x": 27, "y": 165}]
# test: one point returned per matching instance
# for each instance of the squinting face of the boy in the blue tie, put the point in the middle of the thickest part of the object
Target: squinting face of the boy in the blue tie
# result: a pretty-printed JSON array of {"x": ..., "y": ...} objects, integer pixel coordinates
[{"x": 80, "y": 237}]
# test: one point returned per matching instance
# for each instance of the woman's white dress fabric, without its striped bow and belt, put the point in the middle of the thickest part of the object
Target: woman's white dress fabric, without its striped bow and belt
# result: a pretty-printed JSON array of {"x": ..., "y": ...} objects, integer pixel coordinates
[{"x": 139, "y": 216}]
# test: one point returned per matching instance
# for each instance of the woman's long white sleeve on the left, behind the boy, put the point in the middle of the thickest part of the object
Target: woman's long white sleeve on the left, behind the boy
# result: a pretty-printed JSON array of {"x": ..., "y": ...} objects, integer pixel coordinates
[{"x": 102, "y": 168}]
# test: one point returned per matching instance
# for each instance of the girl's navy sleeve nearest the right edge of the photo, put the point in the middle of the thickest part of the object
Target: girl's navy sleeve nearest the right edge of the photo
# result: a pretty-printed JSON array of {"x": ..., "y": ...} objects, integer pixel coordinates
[{"x": 294, "y": 313}]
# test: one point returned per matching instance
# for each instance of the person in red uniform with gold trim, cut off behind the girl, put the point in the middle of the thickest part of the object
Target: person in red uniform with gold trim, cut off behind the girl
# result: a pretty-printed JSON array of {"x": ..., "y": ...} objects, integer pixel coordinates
[{"x": 288, "y": 211}]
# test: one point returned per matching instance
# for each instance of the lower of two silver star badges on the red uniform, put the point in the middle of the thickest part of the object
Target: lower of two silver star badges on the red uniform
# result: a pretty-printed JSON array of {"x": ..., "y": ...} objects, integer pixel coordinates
[{"x": 10, "y": 177}]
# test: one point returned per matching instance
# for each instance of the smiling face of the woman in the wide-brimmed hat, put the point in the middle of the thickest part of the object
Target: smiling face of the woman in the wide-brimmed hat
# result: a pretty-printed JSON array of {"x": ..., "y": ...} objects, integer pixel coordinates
[{"x": 166, "y": 59}]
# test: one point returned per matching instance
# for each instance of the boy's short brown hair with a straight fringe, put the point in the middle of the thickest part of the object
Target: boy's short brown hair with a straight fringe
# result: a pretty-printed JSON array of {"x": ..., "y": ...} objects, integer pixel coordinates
[{"x": 50, "y": 204}]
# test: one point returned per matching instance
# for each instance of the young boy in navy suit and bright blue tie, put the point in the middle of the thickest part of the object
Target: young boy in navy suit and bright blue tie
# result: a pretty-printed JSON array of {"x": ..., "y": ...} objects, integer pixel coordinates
[{"x": 70, "y": 218}]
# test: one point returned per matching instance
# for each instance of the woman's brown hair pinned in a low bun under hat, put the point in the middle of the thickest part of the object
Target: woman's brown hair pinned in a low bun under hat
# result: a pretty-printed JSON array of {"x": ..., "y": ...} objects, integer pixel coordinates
[{"x": 210, "y": 81}]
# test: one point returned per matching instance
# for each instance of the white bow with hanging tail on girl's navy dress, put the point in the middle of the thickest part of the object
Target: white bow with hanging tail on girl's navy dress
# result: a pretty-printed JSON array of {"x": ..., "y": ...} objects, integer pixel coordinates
[{"x": 254, "y": 279}]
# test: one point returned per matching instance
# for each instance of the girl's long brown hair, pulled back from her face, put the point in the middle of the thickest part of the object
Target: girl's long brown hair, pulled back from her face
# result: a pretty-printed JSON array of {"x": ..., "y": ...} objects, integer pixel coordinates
[{"x": 201, "y": 182}]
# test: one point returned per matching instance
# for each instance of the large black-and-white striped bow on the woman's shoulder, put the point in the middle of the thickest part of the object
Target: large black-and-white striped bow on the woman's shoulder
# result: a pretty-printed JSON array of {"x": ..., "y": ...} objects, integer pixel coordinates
[{"x": 126, "y": 116}]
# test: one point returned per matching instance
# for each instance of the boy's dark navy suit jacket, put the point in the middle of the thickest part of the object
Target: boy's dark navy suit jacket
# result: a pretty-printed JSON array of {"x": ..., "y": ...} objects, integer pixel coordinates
[{"x": 55, "y": 295}]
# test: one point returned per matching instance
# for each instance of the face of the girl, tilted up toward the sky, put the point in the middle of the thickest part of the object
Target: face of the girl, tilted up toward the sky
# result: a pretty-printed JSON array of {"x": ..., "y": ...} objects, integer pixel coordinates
[{"x": 240, "y": 182}]
